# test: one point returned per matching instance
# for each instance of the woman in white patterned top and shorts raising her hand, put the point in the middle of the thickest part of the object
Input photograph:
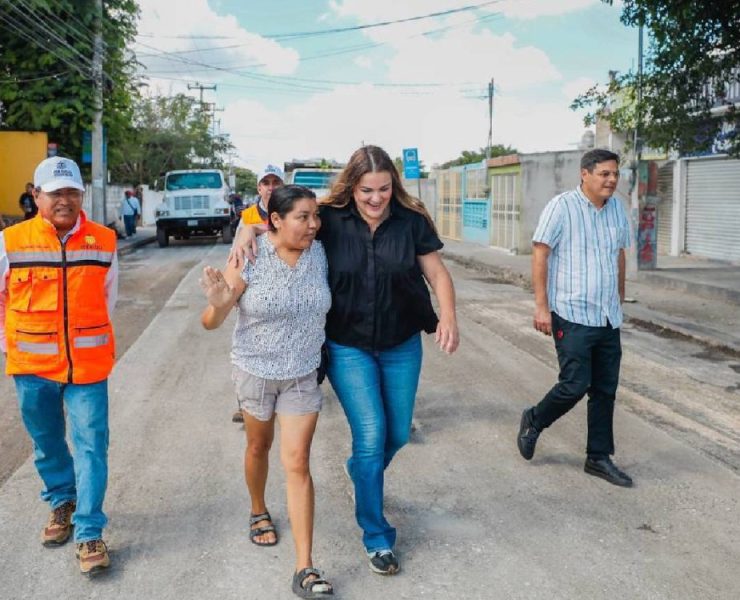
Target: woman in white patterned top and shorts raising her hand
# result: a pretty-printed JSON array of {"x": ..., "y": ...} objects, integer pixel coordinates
[{"x": 282, "y": 302}]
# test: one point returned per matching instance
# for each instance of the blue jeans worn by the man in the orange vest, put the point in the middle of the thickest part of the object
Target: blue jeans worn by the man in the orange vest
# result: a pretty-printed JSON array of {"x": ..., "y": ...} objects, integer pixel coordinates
[{"x": 83, "y": 475}]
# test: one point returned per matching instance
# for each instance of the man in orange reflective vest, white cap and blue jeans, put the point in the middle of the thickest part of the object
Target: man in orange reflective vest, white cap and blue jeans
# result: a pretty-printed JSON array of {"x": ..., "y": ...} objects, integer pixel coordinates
[{"x": 58, "y": 287}]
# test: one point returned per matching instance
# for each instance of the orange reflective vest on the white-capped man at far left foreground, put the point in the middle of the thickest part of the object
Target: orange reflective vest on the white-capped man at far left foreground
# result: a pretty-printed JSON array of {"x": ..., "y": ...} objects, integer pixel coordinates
[{"x": 56, "y": 319}]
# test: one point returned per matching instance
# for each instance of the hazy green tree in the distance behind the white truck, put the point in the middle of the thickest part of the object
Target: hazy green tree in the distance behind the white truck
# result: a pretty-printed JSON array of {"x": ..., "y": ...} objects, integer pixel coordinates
[{"x": 168, "y": 133}]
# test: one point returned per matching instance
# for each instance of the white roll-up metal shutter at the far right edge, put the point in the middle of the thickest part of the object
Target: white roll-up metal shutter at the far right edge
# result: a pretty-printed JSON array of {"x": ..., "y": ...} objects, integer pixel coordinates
[{"x": 713, "y": 208}]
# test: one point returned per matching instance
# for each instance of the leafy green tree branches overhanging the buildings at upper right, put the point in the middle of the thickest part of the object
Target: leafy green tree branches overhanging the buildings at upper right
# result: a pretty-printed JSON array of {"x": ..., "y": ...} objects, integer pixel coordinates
[{"x": 690, "y": 66}]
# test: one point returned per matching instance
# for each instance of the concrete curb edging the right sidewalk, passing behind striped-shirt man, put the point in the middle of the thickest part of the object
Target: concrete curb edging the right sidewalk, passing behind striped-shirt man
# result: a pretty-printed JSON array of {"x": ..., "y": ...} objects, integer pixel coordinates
[{"x": 647, "y": 320}]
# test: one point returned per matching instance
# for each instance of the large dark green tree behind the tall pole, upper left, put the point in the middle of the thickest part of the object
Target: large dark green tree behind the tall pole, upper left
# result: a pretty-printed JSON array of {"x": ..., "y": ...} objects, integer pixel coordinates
[{"x": 46, "y": 51}]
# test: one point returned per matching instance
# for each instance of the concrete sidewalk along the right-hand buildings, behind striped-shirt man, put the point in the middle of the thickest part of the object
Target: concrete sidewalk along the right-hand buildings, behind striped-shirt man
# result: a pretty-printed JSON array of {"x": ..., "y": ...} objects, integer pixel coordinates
[{"x": 684, "y": 297}]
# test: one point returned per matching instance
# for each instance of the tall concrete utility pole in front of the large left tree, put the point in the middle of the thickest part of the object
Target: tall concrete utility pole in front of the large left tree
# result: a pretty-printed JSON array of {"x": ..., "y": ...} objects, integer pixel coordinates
[{"x": 98, "y": 159}]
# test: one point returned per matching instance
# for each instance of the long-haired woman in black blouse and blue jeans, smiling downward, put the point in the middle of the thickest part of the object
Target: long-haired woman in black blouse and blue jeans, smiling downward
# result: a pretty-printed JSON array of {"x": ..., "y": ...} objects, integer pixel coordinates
[{"x": 381, "y": 246}]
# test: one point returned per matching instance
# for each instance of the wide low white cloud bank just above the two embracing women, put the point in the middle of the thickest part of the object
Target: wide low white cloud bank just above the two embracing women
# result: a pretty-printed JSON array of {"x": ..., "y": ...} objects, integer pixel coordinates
[{"x": 334, "y": 124}]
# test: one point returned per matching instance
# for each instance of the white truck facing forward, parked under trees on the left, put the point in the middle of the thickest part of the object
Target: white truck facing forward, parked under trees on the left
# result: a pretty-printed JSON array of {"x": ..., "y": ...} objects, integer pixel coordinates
[{"x": 195, "y": 202}]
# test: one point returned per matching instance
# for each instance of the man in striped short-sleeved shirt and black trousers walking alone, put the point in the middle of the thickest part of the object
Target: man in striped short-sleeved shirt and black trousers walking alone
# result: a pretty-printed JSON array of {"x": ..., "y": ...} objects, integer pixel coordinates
[{"x": 578, "y": 272}]
